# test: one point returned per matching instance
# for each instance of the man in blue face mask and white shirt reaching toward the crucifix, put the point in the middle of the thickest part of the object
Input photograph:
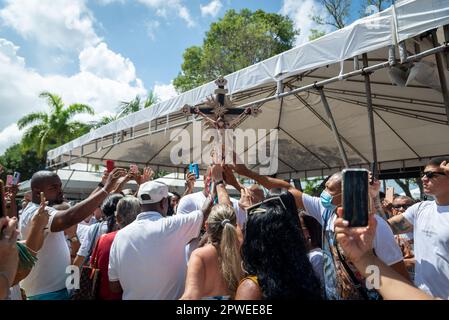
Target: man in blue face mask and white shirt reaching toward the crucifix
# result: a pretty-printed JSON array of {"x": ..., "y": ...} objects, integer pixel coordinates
[{"x": 323, "y": 210}]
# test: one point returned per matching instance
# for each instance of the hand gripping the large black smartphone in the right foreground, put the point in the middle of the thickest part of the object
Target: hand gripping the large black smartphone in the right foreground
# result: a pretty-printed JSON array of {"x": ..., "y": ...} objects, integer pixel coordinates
[{"x": 355, "y": 242}]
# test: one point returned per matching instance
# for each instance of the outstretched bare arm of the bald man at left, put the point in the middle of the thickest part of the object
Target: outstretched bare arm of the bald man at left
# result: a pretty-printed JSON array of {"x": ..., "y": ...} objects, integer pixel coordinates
[{"x": 67, "y": 218}]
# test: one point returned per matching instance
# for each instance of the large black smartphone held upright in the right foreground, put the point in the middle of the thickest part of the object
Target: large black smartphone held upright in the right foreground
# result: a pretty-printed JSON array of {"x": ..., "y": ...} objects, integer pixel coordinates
[{"x": 355, "y": 197}]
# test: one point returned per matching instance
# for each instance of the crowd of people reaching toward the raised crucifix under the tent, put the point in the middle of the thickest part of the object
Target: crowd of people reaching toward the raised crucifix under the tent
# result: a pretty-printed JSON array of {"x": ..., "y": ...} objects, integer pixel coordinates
[{"x": 151, "y": 243}]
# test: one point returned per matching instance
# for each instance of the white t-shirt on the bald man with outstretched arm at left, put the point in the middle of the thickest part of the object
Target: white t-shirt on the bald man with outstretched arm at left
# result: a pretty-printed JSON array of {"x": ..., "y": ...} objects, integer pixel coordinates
[{"x": 49, "y": 272}]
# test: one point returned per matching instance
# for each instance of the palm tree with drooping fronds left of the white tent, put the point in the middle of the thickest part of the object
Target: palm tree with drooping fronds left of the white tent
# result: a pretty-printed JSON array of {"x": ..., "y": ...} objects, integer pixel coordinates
[{"x": 54, "y": 128}]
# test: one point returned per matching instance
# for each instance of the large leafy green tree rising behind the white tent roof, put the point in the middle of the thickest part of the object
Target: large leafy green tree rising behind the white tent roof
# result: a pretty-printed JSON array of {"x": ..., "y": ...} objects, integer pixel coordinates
[{"x": 234, "y": 42}]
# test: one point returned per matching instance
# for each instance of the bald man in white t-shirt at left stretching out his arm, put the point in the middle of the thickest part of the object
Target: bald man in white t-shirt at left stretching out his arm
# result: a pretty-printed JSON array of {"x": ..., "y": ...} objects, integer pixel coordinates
[{"x": 47, "y": 280}]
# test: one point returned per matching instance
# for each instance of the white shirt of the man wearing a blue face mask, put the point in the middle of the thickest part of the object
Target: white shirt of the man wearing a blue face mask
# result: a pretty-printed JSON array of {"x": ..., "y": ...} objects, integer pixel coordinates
[{"x": 384, "y": 244}]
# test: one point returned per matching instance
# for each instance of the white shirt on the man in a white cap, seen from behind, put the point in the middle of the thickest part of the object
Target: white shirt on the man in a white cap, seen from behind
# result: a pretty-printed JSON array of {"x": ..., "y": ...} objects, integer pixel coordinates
[{"x": 148, "y": 257}]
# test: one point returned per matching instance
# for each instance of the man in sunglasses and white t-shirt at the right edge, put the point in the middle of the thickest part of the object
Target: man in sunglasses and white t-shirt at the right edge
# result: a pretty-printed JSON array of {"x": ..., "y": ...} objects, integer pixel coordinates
[{"x": 429, "y": 222}]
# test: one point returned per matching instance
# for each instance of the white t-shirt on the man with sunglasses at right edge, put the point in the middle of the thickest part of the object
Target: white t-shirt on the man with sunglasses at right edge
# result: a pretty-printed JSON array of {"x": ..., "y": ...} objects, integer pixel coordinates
[{"x": 431, "y": 235}]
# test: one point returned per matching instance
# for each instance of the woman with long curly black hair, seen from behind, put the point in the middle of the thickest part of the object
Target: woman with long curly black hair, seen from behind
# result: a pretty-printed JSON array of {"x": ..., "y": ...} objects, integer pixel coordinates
[{"x": 274, "y": 254}]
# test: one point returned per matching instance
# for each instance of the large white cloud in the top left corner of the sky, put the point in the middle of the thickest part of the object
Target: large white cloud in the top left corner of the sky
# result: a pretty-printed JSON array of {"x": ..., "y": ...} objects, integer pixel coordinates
[{"x": 64, "y": 24}]
